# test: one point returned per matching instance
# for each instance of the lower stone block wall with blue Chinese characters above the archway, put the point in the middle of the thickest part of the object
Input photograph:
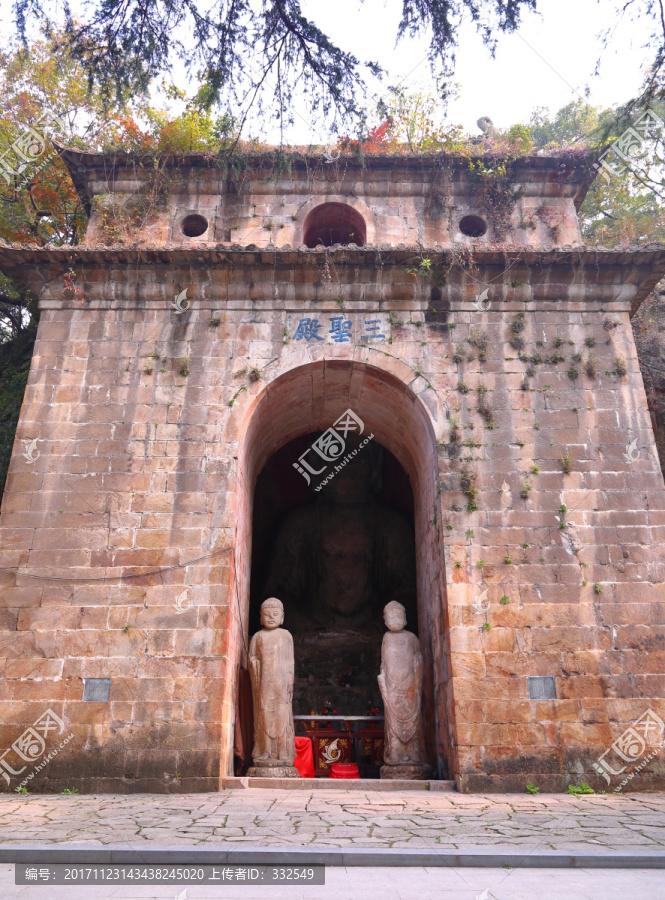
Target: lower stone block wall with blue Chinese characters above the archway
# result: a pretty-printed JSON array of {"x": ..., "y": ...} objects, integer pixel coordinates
[{"x": 125, "y": 544}]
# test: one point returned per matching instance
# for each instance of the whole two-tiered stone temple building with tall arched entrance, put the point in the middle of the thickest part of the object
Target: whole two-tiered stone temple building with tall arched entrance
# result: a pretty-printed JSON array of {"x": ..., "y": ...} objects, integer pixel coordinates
[{"x": 340, "y": 382}]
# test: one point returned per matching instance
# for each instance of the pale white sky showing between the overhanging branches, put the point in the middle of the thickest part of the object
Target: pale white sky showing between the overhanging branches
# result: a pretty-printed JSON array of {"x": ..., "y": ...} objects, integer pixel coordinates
[{"x": 548, "y": 62}]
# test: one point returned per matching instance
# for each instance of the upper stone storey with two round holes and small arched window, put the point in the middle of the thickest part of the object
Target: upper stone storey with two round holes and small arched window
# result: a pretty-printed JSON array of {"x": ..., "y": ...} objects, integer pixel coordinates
[{"x": 404, "y": 200}]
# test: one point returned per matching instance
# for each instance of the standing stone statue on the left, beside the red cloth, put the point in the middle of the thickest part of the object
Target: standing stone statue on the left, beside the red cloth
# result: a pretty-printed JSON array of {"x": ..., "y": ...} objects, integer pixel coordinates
[{"x": 271, "y": 672}]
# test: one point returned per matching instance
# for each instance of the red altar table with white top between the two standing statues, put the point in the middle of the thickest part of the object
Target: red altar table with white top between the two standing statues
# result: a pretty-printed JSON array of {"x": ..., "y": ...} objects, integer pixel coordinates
[{"x": 344, "y": 739}]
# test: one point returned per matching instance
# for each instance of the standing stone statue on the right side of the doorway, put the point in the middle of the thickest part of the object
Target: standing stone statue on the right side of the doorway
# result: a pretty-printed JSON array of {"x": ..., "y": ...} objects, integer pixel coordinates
[{"x": 400, "y": 682}]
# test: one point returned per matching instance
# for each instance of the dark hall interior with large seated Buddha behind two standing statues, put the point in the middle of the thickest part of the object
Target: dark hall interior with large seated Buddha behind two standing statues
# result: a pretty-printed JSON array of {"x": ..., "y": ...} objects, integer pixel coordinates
[{"x": 335, "y": 558}]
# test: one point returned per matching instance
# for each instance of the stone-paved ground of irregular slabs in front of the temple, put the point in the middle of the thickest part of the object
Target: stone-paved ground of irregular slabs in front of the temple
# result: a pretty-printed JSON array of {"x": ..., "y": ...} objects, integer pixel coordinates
[{"x": 340, "y": 818}]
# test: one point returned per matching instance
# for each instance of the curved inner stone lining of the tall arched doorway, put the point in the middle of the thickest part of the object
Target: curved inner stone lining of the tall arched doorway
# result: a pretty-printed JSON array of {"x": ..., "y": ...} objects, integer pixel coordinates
[{"x": 310, "y": 397}]
